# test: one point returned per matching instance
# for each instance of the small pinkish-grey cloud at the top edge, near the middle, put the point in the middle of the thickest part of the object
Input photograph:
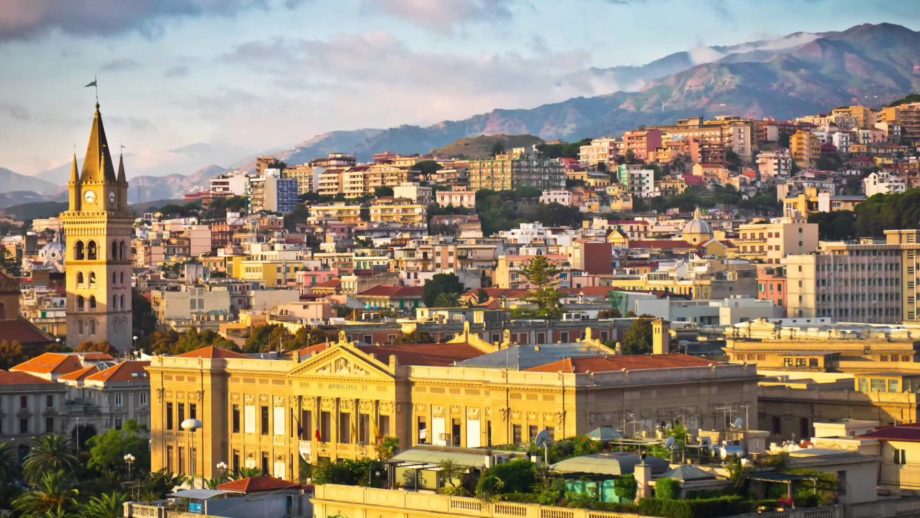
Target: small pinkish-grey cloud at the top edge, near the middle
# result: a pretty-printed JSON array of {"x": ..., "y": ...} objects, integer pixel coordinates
[{"x": 443, "y": 15}]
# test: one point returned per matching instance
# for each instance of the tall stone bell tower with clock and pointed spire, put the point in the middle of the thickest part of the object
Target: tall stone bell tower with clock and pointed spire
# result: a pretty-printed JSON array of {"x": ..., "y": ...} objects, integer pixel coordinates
[{"x": 98, "y": 228}]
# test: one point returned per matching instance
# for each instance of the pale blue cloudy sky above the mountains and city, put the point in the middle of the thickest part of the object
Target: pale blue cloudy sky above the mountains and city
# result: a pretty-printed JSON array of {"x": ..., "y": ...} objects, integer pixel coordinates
[{"x": 187, "y": 83}]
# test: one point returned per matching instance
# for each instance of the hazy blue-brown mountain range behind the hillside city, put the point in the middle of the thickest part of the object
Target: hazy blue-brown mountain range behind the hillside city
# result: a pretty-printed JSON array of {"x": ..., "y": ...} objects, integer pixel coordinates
[{"x": 785, "y": 77}]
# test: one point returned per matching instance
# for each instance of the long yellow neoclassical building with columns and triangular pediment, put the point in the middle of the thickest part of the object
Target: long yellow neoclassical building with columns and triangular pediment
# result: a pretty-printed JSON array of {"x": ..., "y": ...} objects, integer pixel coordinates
[{"x": 337, "y": 401}]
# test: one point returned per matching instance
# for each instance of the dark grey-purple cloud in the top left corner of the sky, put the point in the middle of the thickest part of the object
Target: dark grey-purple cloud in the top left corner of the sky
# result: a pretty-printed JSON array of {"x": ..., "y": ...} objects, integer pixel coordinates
[{"x": 22, "y": 19}]
